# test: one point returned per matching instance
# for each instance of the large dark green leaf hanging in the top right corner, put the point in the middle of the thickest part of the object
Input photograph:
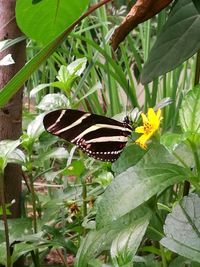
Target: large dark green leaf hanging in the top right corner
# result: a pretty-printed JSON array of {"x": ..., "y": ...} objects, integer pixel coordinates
[{"x": 178, "y": 41}]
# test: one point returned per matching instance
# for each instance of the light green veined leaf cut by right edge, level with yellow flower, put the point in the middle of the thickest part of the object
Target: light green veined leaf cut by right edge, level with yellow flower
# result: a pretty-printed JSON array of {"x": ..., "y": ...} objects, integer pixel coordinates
[{"x": 189, "y": 112}]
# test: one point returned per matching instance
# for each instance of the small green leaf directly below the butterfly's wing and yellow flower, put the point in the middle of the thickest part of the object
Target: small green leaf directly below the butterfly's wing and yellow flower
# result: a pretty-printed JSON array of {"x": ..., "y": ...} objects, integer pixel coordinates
[{"x": 129, "y": 157}]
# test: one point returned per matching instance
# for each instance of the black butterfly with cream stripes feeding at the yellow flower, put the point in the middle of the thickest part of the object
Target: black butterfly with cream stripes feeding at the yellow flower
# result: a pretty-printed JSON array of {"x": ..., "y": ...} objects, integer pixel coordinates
[{"x": 100, "y": 137}]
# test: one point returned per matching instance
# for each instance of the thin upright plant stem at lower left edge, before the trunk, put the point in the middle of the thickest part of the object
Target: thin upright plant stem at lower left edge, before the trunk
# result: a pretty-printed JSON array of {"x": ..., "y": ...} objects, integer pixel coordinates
[{"x": 5, "y": 221}]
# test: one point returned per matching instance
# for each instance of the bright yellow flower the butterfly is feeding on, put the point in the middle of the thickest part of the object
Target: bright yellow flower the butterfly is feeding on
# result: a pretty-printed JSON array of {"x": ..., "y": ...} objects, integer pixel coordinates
[{"x": 151, "y": 123}]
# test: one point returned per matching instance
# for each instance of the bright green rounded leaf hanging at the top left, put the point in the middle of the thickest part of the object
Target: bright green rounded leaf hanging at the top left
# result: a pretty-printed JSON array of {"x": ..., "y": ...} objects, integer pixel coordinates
[{"x": 46, "y": 20}]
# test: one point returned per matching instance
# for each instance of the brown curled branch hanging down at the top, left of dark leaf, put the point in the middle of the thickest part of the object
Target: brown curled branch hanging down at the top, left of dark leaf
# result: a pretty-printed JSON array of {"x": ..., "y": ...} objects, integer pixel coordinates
[{"x": 140, "y": 12}]
